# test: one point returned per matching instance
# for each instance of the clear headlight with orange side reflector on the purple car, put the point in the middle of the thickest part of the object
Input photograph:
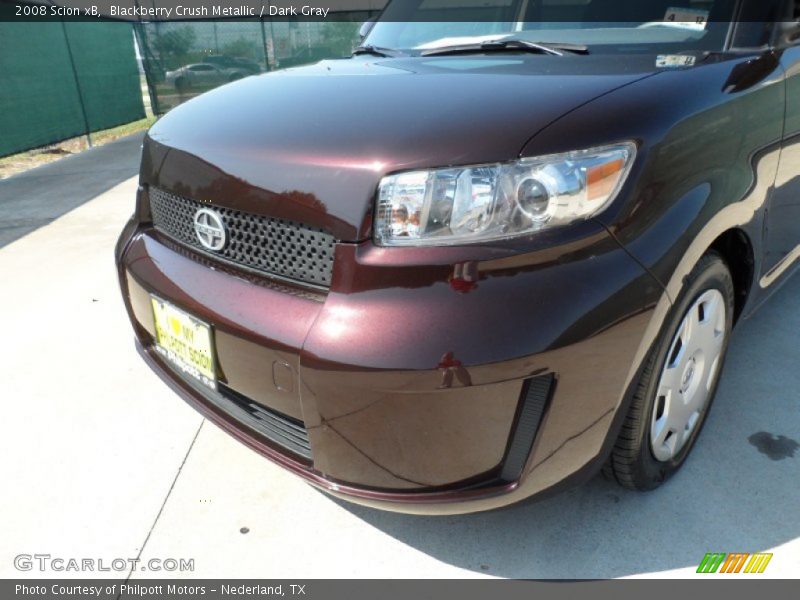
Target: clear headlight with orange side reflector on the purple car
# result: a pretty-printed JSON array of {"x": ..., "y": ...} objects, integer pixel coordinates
[{"x": 464, "y": 205}]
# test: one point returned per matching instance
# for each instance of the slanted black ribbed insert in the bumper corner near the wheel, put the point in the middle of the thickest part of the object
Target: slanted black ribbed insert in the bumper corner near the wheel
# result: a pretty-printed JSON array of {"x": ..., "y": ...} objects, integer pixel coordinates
[{"x": 535, "y": 396}]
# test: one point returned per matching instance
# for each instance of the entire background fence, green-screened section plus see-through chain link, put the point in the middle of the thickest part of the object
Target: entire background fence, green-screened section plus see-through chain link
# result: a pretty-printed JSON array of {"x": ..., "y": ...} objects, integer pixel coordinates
[{"x": 66, "y": 78}]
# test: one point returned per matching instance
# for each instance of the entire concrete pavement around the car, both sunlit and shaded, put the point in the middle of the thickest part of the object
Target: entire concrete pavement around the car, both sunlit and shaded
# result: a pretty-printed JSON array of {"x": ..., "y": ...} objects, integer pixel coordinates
[{"x": 101, "y": 460}]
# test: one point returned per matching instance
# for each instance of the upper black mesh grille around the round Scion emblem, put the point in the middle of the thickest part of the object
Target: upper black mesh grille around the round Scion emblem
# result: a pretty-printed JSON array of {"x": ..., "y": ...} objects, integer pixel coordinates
[{"x": 279, "y": 247}]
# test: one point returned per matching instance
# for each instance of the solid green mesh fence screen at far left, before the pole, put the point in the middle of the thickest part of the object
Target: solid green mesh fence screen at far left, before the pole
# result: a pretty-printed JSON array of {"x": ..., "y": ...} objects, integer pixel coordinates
[{"x": 61, "y": 80}]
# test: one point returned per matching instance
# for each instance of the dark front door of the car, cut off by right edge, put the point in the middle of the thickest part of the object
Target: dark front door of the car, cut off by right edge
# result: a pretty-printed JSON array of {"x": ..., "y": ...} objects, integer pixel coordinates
[{"x": 782, "y": 239}]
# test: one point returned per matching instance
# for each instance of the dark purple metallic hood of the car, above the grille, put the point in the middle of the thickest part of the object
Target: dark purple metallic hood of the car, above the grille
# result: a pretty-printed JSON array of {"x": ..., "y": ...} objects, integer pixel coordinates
[{"x": 311, "y": 144}]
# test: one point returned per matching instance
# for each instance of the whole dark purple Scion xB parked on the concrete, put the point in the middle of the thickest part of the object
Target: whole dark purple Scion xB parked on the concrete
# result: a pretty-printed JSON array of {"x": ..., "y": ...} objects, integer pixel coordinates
[{"x": 479, "y": 260}]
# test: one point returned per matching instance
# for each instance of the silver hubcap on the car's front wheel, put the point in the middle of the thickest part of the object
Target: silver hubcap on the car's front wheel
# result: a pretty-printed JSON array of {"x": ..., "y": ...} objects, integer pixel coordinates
[{"x": 688, "y": 375}]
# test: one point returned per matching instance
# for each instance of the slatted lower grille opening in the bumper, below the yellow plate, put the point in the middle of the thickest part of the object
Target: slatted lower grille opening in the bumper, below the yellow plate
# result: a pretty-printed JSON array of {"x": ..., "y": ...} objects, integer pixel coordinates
[{"x": 276, "y": 427}]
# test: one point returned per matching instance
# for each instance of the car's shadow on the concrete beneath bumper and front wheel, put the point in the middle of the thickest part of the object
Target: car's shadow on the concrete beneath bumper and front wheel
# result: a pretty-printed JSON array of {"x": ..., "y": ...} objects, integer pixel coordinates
[{"x": 738, "y": 491}]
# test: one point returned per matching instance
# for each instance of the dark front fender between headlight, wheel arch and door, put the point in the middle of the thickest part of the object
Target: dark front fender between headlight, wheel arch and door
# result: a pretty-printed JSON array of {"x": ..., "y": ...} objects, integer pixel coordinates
[{"x": 707, "y": 161}]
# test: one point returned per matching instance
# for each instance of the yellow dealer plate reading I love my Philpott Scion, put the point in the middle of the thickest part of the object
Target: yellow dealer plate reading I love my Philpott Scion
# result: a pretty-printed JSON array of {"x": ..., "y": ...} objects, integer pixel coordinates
[{"x": 185, "y": 342}]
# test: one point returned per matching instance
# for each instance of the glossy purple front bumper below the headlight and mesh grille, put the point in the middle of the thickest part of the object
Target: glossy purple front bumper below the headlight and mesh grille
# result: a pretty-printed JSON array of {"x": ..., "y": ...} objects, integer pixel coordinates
[{"x": 411, "y": 380}]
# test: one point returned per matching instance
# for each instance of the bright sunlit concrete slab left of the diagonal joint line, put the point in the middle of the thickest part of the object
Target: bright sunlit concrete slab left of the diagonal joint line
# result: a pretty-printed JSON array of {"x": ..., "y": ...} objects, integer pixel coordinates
[{"x": 84, "y": 470}]
